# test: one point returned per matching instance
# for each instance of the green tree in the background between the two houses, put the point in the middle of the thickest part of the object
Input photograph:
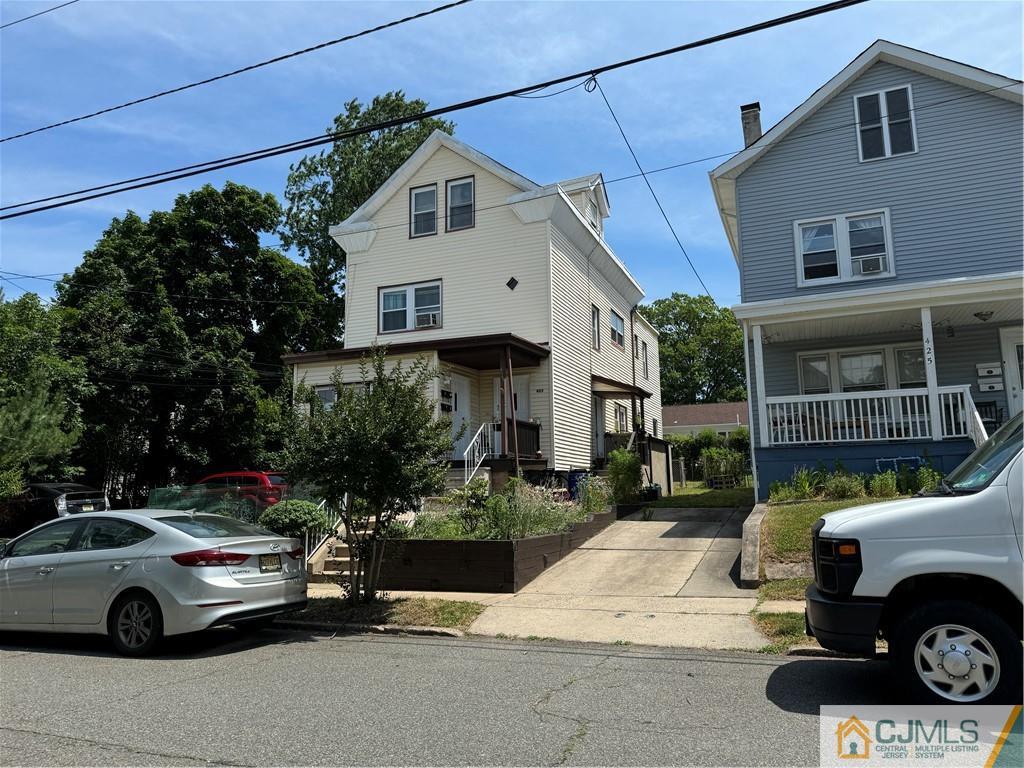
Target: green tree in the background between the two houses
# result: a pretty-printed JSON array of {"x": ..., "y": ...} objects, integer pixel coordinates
[{"x": 701, "y": 348}]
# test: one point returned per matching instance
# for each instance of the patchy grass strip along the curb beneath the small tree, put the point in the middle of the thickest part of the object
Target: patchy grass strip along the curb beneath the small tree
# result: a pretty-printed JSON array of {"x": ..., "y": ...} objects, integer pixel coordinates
[{"x": 406, "y": 612}]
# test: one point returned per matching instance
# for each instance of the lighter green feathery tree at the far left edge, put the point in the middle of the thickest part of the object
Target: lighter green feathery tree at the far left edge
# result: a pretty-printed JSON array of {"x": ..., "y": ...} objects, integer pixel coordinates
[{"x": 40, "y": 392}]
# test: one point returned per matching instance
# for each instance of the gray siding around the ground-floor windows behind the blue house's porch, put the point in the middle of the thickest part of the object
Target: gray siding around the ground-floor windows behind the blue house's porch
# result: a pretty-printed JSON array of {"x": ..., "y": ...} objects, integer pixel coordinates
[{"x": 956, "y": 361}]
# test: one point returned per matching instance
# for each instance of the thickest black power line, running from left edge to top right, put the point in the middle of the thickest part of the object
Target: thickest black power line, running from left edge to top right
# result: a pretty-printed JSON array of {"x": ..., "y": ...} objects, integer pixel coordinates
[{"x": 188, "y": 172}]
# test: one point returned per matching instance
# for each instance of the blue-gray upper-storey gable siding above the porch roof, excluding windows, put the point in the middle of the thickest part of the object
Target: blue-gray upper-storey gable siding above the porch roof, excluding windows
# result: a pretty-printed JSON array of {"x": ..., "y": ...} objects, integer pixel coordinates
[{"x": 955, "y": 205}]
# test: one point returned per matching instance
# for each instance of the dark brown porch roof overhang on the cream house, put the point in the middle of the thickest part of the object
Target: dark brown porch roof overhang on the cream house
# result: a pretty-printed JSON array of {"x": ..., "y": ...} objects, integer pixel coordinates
[{"x": 481, "y": 353}]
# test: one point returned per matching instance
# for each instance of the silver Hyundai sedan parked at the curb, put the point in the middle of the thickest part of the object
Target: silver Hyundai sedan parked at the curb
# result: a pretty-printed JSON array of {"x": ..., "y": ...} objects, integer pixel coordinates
[{"x": 140, "y": 576}]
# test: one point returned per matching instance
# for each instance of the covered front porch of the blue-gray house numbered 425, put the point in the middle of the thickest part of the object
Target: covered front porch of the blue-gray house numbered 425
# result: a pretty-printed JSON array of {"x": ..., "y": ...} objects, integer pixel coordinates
[{"x": 875, "y": 381}]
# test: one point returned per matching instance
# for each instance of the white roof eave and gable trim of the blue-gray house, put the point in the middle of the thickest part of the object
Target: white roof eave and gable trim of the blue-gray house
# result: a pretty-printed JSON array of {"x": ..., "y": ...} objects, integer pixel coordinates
[{"x": 723, "y": 178}]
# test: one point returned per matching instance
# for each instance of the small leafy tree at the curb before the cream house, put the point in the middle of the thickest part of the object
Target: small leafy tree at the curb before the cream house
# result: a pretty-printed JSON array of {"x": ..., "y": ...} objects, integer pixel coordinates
[{"x": 380, "y": 446}]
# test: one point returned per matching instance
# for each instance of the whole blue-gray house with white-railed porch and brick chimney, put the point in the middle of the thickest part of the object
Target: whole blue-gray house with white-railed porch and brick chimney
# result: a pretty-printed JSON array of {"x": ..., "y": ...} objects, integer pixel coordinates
[{"x": 878, "y": 232}]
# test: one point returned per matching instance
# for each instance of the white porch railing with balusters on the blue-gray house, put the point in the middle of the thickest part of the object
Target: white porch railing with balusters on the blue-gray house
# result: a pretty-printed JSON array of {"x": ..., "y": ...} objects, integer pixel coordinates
[{"x": 870, "y": 417}]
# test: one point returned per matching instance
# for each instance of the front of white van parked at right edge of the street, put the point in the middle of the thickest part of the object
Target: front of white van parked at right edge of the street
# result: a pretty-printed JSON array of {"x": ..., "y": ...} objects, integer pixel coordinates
[{"x": 940, "y": 577}]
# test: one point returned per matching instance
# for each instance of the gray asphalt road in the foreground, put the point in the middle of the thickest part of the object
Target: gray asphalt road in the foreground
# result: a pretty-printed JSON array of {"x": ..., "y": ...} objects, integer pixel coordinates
[{"x": 291, "y": 699}]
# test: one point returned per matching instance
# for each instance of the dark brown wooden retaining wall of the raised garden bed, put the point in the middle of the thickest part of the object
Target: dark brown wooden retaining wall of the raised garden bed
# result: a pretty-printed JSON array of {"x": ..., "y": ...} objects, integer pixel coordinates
[{"x": 482, "y": 566}]
